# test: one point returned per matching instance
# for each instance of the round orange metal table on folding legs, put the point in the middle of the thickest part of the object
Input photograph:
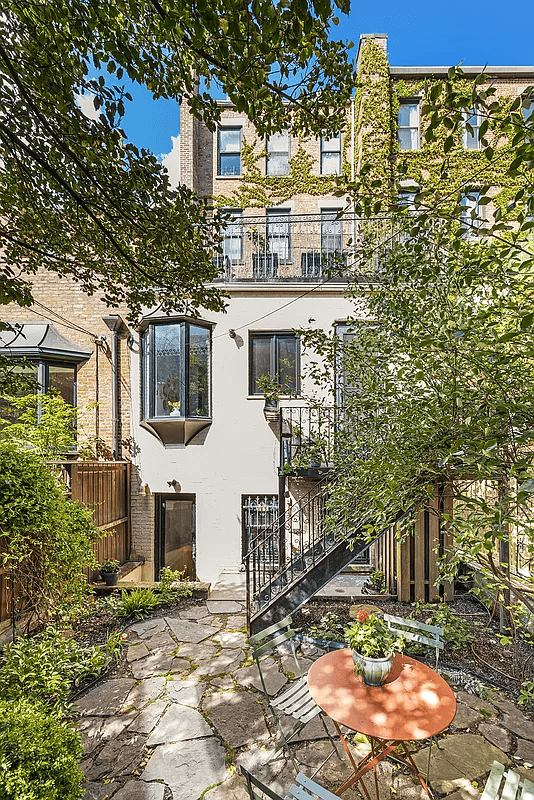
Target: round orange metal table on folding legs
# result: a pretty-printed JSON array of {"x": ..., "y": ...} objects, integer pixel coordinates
[{"x": 415, "y": 703}]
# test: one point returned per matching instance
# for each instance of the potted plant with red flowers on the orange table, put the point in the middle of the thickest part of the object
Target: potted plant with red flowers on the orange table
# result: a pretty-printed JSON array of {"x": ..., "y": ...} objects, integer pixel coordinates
[{"x": 373, "y": 646}]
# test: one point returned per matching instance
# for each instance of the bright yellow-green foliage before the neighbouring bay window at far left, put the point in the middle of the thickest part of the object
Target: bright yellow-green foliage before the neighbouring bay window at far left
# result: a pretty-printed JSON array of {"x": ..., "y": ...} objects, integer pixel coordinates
[{"x": 44, "y": 423}]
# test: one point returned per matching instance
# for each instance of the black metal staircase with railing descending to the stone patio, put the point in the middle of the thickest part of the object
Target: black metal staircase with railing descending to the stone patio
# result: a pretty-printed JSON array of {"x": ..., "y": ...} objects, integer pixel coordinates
[{"x": 290, "y": 562}]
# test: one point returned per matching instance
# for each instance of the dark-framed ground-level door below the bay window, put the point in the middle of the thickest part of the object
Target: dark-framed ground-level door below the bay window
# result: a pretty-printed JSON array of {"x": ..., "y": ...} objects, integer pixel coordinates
[{"x": 175, "y": 533}]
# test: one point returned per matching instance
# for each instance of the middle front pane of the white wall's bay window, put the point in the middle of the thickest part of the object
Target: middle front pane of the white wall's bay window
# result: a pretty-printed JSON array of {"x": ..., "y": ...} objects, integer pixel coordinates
[{"x": 168, "y": 370}]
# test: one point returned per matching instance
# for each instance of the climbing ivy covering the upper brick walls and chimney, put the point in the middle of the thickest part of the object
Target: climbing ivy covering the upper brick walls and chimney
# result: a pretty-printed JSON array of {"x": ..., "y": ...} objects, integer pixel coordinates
[{"x": 379, "y": 163}]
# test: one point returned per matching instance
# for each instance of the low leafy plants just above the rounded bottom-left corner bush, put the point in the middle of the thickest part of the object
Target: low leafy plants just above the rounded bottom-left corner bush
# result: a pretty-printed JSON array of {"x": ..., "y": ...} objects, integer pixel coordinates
[{"x": 43, "y": 668}]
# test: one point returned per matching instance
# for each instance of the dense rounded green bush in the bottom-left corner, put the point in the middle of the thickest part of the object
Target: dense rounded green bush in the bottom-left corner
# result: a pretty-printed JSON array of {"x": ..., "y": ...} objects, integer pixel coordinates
[{"x": 38, "y": 754}]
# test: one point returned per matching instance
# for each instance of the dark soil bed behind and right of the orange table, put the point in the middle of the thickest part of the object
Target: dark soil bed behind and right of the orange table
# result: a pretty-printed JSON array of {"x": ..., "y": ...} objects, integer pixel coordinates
[{"x": 504, "y": 666}]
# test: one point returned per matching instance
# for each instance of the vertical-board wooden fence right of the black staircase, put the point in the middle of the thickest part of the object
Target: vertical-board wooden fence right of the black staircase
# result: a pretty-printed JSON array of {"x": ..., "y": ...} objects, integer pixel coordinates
[{"x": 410, "y": 566}]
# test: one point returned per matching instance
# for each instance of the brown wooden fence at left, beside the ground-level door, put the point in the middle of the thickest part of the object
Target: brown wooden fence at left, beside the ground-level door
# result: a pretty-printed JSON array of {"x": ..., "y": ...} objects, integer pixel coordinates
[{"x": 104, "y": 487}]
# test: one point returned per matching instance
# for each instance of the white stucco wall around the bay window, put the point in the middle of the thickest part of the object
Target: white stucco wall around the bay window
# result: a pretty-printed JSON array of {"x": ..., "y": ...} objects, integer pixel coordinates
[{"x": 240, "y": 452}]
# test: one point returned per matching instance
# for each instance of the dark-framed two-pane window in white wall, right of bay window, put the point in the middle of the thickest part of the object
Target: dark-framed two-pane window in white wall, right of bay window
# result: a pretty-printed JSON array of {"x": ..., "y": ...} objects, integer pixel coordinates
[{"x": 278, "y": 356}]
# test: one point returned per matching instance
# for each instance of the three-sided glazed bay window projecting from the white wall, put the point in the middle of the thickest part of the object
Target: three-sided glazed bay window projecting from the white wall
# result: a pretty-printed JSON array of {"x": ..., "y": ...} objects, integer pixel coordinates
[{"x": 176, "y": 370}]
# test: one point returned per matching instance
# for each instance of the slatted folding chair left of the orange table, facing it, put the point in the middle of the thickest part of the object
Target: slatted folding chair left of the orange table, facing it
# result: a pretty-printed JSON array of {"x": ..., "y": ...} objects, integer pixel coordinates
[{"x": 296, "y": 701}]
